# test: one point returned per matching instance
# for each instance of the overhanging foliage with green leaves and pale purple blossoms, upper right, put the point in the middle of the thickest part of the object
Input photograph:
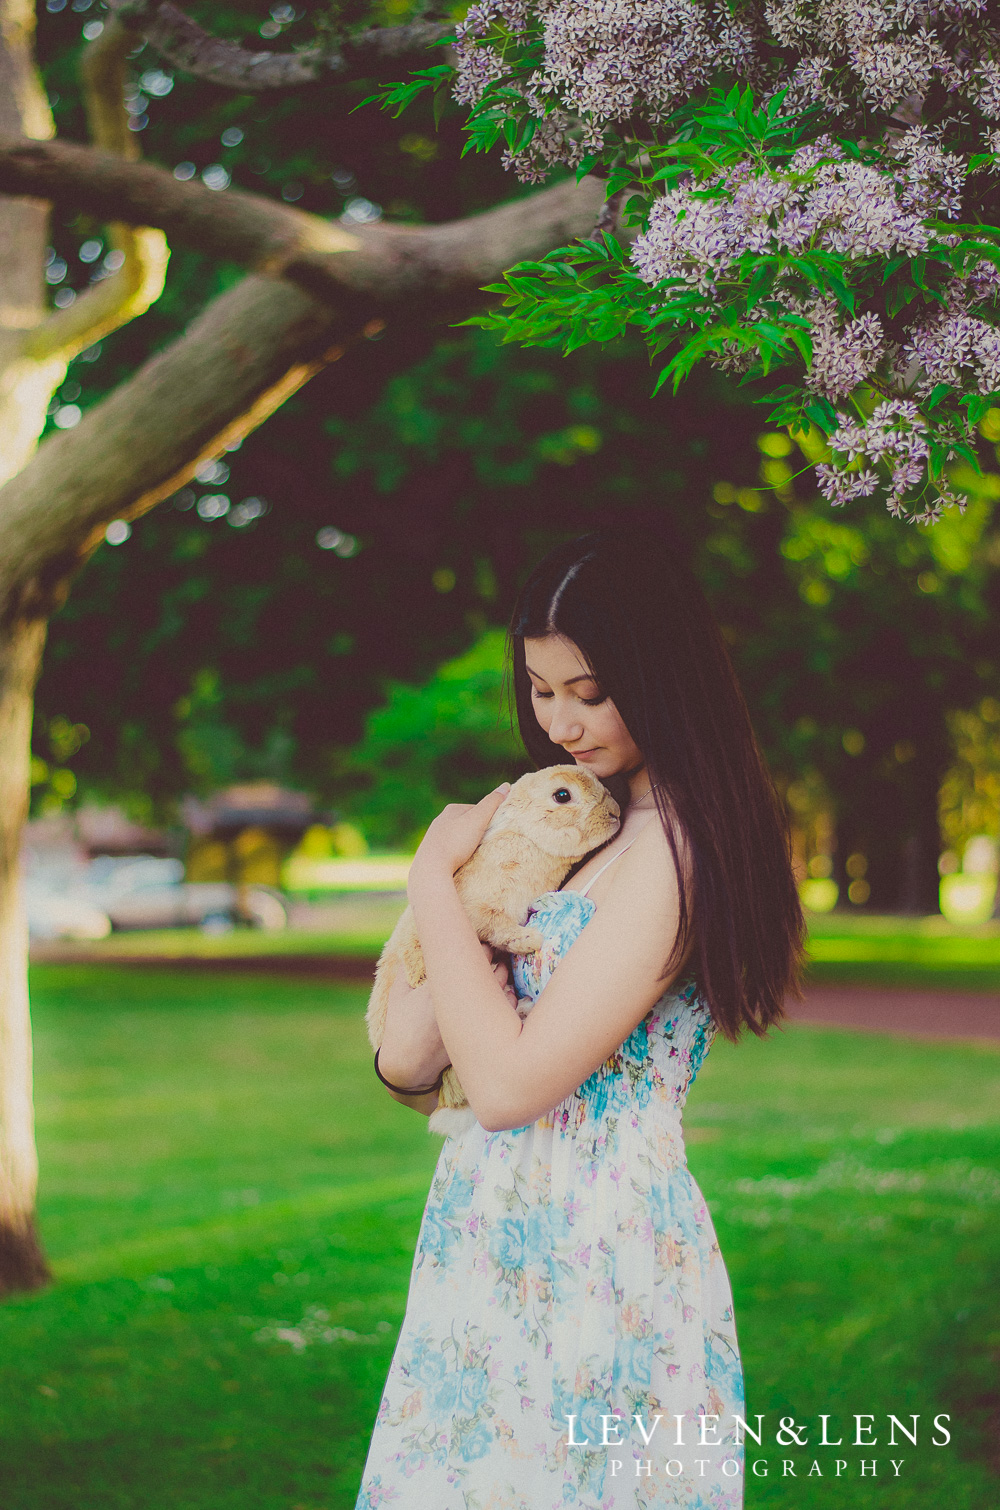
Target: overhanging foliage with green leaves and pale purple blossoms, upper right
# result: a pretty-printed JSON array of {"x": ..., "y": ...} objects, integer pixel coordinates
[{"x": 809, "y": 193}]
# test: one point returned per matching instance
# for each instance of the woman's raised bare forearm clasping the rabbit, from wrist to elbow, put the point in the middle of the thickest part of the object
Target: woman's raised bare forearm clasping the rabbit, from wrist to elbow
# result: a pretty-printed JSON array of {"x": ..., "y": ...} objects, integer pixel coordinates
[{"x": 478, "y": 1025}]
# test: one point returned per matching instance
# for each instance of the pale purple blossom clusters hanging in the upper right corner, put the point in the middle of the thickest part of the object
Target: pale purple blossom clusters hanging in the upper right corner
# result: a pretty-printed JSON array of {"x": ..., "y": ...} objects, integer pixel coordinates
[{"x": 603, "y": 76}]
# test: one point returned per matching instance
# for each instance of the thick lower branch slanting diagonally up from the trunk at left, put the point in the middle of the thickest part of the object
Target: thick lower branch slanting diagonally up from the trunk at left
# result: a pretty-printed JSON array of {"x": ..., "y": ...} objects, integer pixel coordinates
[{"x": 233, "y": 368}]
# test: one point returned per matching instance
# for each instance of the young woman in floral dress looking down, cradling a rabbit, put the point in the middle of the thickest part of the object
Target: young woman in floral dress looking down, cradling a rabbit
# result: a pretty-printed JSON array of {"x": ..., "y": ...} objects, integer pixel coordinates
[{"x": 569, "y": 1336}]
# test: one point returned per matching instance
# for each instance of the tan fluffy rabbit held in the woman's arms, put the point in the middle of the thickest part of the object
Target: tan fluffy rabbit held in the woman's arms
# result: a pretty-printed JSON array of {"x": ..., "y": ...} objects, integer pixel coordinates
[{"x": 549, "y": 821}]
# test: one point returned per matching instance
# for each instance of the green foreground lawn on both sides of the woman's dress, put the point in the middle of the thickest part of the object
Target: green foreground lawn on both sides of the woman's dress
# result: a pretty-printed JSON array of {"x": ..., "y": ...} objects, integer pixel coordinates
[{"x": 232, "y": 1203}]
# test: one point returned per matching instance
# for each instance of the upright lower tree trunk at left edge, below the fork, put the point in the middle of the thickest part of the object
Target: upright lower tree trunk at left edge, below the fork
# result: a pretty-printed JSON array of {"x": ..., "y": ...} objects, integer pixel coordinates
[{"x": 22, "y": 1262}]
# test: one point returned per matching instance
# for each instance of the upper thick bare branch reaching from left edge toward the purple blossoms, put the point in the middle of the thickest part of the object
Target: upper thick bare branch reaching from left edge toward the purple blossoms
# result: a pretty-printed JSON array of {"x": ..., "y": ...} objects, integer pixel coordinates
[{"x": 381, "y": 263}]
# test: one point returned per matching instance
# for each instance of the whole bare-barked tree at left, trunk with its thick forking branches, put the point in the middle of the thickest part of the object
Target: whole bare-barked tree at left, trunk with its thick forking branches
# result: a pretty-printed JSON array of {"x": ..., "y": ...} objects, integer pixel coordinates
[{"x": 315, "y": 291}]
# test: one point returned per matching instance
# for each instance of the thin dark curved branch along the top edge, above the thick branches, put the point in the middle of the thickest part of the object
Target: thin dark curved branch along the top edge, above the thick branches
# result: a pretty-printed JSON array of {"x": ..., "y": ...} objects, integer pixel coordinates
[{"x": 194, "y": 51}]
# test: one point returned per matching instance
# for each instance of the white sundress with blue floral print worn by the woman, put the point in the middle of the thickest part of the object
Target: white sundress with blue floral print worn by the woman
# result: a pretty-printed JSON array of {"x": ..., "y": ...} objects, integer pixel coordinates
[{"x": 570, "y": 1269}]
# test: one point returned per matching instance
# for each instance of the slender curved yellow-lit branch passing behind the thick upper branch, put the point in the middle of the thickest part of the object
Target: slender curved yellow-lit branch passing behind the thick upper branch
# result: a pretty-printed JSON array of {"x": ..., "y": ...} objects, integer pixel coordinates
[{"x": 138, "y": 283}]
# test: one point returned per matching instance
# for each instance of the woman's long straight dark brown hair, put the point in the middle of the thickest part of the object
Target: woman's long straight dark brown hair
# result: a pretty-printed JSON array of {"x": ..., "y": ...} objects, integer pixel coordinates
[{"x": 643, "y": 624}]
